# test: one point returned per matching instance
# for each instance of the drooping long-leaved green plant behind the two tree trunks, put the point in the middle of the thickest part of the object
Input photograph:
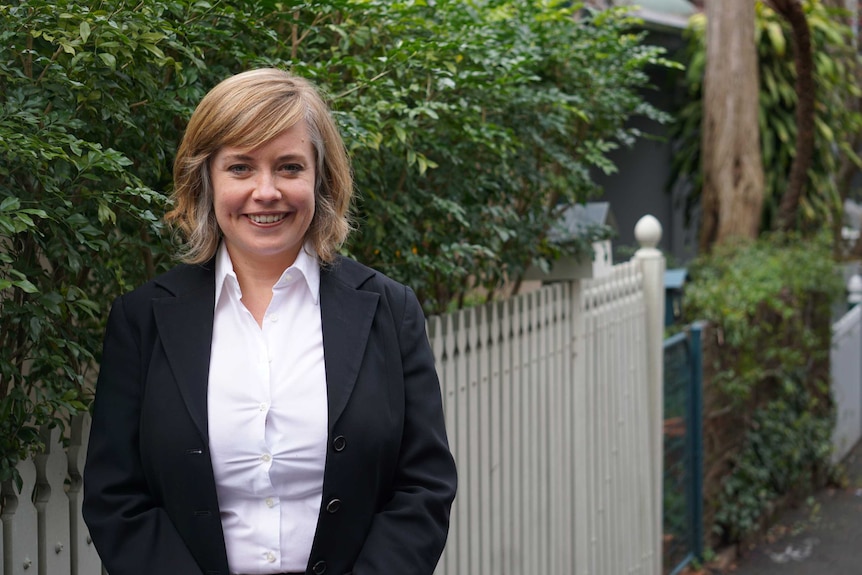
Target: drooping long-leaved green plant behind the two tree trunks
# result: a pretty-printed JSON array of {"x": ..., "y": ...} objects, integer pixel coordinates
[{"x": 836, "y": 123}]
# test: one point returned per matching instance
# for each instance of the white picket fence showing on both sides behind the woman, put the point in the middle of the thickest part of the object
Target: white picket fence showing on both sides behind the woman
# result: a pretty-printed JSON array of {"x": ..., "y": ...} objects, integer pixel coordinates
[{"x": 553, "y": 403}]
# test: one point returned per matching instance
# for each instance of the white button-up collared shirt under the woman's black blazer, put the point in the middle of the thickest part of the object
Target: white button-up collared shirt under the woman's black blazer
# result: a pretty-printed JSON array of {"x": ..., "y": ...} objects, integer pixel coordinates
[{"x": 268, "y": 418}]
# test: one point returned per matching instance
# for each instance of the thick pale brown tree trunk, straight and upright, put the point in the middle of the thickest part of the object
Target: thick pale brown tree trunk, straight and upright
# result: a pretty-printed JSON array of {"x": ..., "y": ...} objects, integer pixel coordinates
[{"x": 733, "y": 185}]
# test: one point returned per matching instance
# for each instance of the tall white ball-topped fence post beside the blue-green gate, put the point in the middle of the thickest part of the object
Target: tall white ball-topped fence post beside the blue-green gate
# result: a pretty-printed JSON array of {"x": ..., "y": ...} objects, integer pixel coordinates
[{"x": 648, "y": 234}]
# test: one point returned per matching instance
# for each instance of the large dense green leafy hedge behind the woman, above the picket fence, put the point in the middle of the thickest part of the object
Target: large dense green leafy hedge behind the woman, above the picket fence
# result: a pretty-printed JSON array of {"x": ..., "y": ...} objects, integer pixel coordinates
[{"x": 471, "y": 124}]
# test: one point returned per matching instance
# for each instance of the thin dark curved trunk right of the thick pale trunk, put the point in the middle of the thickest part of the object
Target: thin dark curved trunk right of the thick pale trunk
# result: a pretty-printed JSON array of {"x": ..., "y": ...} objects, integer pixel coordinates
[{"x": 791, "y": 10}]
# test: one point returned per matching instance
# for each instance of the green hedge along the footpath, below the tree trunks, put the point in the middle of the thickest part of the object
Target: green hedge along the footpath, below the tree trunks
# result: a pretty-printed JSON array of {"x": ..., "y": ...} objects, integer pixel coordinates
[{"x": 770, "y": 302}]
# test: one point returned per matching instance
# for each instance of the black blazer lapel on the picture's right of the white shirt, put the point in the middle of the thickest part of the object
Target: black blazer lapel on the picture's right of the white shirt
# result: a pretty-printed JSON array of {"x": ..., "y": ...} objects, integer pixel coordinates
[{"x": 346, "y": 317}]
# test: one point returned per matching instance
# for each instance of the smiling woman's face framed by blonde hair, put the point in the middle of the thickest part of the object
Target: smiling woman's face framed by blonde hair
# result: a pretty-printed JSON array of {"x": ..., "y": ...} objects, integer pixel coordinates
[{"x": 264, "y": 198}]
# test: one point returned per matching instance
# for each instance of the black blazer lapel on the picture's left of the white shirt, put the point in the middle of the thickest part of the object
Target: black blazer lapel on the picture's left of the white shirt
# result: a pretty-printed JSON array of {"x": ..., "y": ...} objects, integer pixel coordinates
[{"x": 185, "y": 326}]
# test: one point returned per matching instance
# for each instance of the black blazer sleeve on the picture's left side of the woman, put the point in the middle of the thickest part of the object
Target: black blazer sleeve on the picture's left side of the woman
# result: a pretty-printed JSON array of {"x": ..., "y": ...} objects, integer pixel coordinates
[{"x": 132, "y": 533}]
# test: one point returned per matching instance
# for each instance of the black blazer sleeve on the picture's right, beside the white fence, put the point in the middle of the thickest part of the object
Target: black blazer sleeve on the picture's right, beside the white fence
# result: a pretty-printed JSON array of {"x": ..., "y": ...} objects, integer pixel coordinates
[{"x": 409, "y": 533}]
